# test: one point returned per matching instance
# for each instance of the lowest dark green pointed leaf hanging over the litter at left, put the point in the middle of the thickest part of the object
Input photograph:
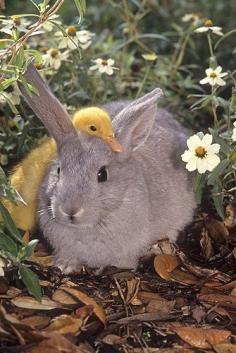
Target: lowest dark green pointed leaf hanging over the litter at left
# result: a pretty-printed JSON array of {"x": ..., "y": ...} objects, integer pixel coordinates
[{"x": 31, "y": 281}]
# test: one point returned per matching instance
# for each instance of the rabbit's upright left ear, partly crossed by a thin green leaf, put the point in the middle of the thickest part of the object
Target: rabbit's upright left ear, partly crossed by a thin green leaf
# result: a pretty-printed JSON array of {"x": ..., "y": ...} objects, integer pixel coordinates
[{"x": 46, "y": 106}]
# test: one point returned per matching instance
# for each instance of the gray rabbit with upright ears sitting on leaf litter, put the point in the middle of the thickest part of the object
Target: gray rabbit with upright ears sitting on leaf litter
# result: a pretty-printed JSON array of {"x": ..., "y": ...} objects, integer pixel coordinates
[{"x": 105, "y": 208}]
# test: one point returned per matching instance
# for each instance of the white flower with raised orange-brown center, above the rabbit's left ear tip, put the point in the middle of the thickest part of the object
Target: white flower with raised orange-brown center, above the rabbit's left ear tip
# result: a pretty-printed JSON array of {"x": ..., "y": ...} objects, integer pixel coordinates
[{"x": 74, "y": 39}]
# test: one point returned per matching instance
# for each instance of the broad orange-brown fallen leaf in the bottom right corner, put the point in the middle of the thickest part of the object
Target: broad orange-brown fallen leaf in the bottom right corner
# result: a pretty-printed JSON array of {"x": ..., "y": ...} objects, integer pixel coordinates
[{"x": 202, "y": 338}]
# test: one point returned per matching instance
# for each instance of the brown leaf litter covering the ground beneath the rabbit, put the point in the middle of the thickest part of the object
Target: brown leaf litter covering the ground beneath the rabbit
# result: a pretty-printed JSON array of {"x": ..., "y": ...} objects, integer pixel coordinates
[{"x": 180, "y": 300}]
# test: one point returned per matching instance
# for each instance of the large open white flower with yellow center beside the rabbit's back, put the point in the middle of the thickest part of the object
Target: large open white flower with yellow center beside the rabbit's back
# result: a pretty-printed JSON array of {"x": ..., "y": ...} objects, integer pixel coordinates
[{"x": 201, "y": 154}]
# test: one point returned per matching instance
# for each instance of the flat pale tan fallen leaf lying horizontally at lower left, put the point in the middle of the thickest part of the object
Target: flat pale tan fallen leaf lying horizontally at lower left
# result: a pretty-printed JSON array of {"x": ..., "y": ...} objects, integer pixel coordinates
[{"x": 31, "y": 303}]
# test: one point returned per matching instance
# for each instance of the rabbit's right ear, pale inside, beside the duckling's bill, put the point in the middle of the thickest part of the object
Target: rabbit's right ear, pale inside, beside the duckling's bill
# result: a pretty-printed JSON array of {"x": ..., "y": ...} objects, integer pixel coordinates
[{"x": 134, "y": 123}]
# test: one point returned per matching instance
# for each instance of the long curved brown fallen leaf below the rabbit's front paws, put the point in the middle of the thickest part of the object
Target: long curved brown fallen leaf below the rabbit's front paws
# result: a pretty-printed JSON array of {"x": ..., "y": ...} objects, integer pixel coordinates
[{"x": 85, "y": 299}]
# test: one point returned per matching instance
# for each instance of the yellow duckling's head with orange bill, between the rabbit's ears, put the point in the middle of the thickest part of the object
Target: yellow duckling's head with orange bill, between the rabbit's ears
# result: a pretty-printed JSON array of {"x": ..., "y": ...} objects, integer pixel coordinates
[{"x": 96, "y": 122}]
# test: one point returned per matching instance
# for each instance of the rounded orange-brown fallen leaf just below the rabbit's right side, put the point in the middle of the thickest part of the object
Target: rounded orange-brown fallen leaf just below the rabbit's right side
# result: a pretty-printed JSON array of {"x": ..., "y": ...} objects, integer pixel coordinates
[{"x": 164, "y": 264}]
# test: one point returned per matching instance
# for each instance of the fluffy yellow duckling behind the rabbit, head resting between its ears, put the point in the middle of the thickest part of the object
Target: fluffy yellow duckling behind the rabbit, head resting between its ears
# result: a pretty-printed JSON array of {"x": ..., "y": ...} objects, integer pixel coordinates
[{"x": 28, "y": 174}]
